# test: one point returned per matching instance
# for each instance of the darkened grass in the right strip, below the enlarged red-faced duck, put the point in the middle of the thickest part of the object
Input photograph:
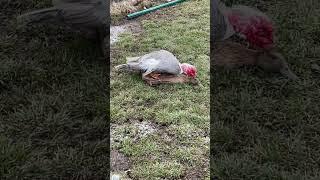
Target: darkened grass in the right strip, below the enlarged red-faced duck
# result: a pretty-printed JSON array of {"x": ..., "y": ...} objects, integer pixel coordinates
[{"x": 264, "y": 127}]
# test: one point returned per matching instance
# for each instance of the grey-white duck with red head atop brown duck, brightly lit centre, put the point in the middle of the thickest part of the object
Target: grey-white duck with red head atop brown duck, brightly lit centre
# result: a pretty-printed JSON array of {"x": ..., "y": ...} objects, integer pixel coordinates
[{"x": 159, "y": 67}]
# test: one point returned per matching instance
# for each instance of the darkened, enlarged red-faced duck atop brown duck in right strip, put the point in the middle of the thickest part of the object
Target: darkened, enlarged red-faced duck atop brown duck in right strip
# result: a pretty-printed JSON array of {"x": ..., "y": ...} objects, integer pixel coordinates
[{"x": 244, "y": 36}]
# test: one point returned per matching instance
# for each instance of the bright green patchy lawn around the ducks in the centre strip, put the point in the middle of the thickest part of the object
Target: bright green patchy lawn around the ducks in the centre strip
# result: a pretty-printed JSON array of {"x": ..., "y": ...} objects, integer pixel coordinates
[{"x": 178, "y": 113}]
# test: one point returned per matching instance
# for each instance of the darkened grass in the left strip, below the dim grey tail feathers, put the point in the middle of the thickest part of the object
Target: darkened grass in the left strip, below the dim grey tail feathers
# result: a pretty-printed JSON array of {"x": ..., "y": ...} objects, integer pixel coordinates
[{"x": 53, "y": 102}]
